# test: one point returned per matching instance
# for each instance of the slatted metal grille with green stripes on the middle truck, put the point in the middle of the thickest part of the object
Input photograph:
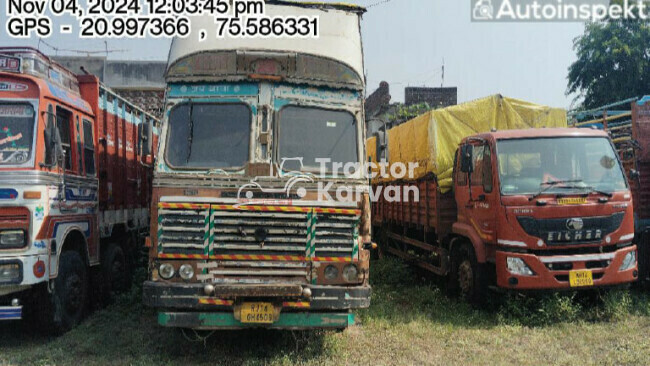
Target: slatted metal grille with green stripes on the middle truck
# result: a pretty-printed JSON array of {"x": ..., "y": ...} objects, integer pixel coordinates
[{"x": 182, "y": 230}]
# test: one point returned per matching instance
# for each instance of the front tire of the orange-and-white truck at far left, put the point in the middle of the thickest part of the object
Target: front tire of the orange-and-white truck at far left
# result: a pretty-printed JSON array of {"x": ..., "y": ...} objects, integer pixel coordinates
[{"x": 69, "y": 296}]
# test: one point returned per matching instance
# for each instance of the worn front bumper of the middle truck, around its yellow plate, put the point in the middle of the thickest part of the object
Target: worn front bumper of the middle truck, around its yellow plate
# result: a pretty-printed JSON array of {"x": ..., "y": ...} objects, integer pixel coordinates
[{"x": 186, "y": 305}]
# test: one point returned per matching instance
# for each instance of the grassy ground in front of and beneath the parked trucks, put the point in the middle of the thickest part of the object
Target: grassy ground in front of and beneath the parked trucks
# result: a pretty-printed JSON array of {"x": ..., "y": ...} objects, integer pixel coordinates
[{"x": 410, "y": 322}]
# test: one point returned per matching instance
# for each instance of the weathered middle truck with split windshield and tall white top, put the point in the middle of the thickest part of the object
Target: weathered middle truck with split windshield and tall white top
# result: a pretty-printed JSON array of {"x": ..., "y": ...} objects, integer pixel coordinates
[{"x": 246, "y": 227}]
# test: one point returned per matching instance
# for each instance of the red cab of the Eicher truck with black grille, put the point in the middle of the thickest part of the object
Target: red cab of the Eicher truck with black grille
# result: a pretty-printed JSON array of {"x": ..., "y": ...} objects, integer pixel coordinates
[{"x": 545, "y": 209}]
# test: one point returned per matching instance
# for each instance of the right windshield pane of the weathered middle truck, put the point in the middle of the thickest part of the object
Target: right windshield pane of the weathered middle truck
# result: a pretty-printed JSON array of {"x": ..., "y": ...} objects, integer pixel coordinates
[{"x": 309, "y": 133}]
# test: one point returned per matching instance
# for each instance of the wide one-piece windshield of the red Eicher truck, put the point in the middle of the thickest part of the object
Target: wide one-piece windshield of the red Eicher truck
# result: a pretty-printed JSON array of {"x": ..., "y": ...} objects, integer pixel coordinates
[{"x": 558, "y": 165}]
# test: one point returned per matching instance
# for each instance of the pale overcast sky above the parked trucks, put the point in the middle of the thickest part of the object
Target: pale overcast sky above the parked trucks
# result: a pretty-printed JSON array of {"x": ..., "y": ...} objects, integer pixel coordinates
[{"x": 405, "y": 42}]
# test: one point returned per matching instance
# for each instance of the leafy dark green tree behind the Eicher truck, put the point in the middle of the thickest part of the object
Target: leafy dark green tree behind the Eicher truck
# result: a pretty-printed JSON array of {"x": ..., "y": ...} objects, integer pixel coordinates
[{"x": 613, "y": 62}]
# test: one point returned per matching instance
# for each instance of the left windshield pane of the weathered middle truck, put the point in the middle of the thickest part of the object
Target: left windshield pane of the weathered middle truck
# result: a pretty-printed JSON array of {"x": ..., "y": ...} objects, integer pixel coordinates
[{"x": 209, "y": 136}]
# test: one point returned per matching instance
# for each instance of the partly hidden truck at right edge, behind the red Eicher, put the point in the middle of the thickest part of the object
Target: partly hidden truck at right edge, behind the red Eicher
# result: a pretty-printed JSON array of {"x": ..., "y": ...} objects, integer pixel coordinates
[{"x": 628, "y": 123}]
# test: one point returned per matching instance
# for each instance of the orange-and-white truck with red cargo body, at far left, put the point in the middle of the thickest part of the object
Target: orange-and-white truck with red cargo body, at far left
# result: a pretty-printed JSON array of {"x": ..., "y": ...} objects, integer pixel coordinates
[{"x": 75, "y": 172}]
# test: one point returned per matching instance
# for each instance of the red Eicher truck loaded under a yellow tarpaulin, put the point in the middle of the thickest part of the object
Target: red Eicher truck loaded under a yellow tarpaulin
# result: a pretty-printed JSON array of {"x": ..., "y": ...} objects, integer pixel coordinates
[{"x": 504, "y": 195}]
